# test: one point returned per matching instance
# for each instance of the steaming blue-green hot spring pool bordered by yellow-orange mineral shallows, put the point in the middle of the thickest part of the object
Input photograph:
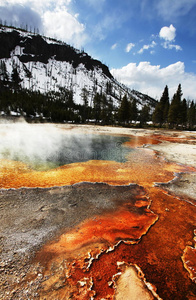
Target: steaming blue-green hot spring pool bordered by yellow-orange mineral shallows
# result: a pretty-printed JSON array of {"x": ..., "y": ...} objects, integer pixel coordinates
[{"x": 53, "y": 151}]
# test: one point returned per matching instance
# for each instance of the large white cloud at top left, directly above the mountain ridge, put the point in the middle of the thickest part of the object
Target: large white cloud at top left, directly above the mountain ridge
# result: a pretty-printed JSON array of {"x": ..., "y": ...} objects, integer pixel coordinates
[{"x": 56, "y": 19}]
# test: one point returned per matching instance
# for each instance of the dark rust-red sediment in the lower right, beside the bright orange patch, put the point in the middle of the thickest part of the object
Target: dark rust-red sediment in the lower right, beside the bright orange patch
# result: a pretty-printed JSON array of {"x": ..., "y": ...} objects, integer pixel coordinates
[{"x": 158, "y": 255}]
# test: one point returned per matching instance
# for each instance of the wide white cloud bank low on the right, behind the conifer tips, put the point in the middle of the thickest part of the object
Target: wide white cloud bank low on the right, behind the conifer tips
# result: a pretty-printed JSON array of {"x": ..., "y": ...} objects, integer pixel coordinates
[{"x": 151, "y": 79}]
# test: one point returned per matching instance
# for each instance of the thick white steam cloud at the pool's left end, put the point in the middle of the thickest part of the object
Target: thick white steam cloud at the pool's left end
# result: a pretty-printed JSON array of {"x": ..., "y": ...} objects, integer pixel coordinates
[{"x": 29, "y": 143}]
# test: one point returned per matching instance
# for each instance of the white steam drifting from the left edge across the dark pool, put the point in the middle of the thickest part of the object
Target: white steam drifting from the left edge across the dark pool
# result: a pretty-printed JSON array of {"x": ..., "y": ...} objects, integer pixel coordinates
[{"x": 45, "y": 145}]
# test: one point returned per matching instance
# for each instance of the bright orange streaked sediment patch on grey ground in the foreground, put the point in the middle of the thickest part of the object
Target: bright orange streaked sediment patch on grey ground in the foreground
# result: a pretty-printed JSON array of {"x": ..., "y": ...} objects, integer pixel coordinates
[{"x": 127, "y": 223}]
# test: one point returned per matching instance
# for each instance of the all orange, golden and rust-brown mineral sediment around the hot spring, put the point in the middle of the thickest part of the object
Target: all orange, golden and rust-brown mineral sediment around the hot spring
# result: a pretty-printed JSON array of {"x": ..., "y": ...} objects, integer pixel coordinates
[{"x": 83, "y": 261}]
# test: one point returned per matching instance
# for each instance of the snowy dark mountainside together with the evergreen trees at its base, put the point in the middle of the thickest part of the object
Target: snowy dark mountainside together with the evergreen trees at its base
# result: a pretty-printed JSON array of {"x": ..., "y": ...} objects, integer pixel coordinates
[{"x": 43, "y": 79}]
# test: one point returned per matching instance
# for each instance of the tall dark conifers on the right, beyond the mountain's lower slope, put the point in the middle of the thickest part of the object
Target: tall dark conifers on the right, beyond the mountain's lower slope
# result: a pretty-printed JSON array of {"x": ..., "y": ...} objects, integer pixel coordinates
[{"x": 177, "y": 113}]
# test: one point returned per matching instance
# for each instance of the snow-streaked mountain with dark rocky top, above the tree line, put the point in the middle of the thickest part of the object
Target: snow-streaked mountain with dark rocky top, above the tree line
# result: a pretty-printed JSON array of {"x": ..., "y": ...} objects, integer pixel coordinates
[{"x": 41, "y": 65}]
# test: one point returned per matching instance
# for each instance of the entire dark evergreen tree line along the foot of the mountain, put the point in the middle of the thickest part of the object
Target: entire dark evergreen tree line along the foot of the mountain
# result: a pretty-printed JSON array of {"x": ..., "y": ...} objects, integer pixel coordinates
[{"x": 60, "y": 107}]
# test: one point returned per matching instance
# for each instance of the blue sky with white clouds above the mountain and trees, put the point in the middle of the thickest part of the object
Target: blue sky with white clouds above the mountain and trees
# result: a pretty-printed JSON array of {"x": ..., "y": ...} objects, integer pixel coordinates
[{"x": 145, "y": 43}]
